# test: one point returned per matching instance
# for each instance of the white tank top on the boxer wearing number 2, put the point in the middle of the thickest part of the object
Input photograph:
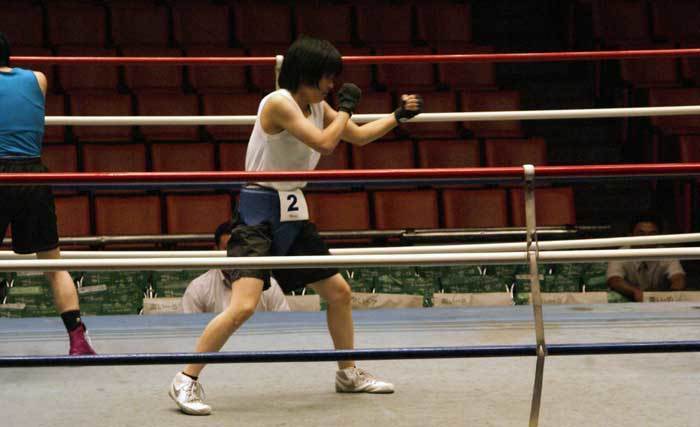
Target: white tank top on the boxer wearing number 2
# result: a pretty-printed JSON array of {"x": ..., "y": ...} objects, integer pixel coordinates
[{"x": 282, "y": 151}]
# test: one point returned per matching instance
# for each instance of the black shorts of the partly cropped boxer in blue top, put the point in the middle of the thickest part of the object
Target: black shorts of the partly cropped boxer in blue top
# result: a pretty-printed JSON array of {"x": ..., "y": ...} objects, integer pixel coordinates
[{"x": 29, "y": 209}]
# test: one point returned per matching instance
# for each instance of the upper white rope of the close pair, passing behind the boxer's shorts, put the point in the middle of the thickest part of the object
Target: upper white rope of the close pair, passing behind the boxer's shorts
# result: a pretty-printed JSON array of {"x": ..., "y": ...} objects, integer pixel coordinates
[{"x": 612, "y": 242}]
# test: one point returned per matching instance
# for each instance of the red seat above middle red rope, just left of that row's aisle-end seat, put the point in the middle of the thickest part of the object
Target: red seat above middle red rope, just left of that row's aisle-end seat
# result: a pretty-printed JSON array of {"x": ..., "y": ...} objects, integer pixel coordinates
[{"x": 450, "y": 153}]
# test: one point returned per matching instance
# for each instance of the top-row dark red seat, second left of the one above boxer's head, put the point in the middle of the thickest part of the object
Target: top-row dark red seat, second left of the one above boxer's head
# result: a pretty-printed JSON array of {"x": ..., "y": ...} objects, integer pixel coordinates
[{"x": 197, "y": 23}]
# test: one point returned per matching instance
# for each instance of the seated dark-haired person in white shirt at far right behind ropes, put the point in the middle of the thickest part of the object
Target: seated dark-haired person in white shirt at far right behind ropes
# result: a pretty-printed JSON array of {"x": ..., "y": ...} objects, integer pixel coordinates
[{"x": 633, "y": 278}]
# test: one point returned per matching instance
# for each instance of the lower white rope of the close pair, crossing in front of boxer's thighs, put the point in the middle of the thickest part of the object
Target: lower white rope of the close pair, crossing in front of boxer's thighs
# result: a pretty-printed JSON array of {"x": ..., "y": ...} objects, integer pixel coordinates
[{"x": 149, "y": 264}]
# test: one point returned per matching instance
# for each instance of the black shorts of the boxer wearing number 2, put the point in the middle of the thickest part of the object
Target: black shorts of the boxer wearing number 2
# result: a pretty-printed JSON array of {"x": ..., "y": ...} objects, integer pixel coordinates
[{"x": 256, "y": 240}]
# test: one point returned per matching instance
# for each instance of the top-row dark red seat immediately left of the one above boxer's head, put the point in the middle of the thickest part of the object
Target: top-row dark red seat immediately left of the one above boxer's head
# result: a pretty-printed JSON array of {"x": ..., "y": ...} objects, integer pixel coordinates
[{"x": 262, "y": 22}]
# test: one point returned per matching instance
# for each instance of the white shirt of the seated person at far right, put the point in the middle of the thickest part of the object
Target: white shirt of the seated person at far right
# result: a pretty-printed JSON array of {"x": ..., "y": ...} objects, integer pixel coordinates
[{"x": 646, "y": 275}]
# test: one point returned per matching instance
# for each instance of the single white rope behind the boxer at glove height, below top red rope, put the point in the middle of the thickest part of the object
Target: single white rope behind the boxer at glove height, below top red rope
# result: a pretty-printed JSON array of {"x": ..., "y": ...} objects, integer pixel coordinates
[{"x": 483, "y": 116}]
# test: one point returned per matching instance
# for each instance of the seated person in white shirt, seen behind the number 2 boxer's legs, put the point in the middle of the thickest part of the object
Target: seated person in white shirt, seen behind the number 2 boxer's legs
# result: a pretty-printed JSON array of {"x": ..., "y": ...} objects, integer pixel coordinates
[{"x": 211, "y": 292}]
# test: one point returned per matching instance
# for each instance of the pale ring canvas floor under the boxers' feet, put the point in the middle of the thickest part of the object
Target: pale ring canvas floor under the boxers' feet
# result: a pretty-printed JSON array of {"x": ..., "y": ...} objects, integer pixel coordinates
[{"x": 634, "y": 390}]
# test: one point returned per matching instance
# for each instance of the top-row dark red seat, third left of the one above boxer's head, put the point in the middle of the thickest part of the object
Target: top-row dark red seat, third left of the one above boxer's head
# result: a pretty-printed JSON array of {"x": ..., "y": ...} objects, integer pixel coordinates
[{"x": 140, "y": 24}]
